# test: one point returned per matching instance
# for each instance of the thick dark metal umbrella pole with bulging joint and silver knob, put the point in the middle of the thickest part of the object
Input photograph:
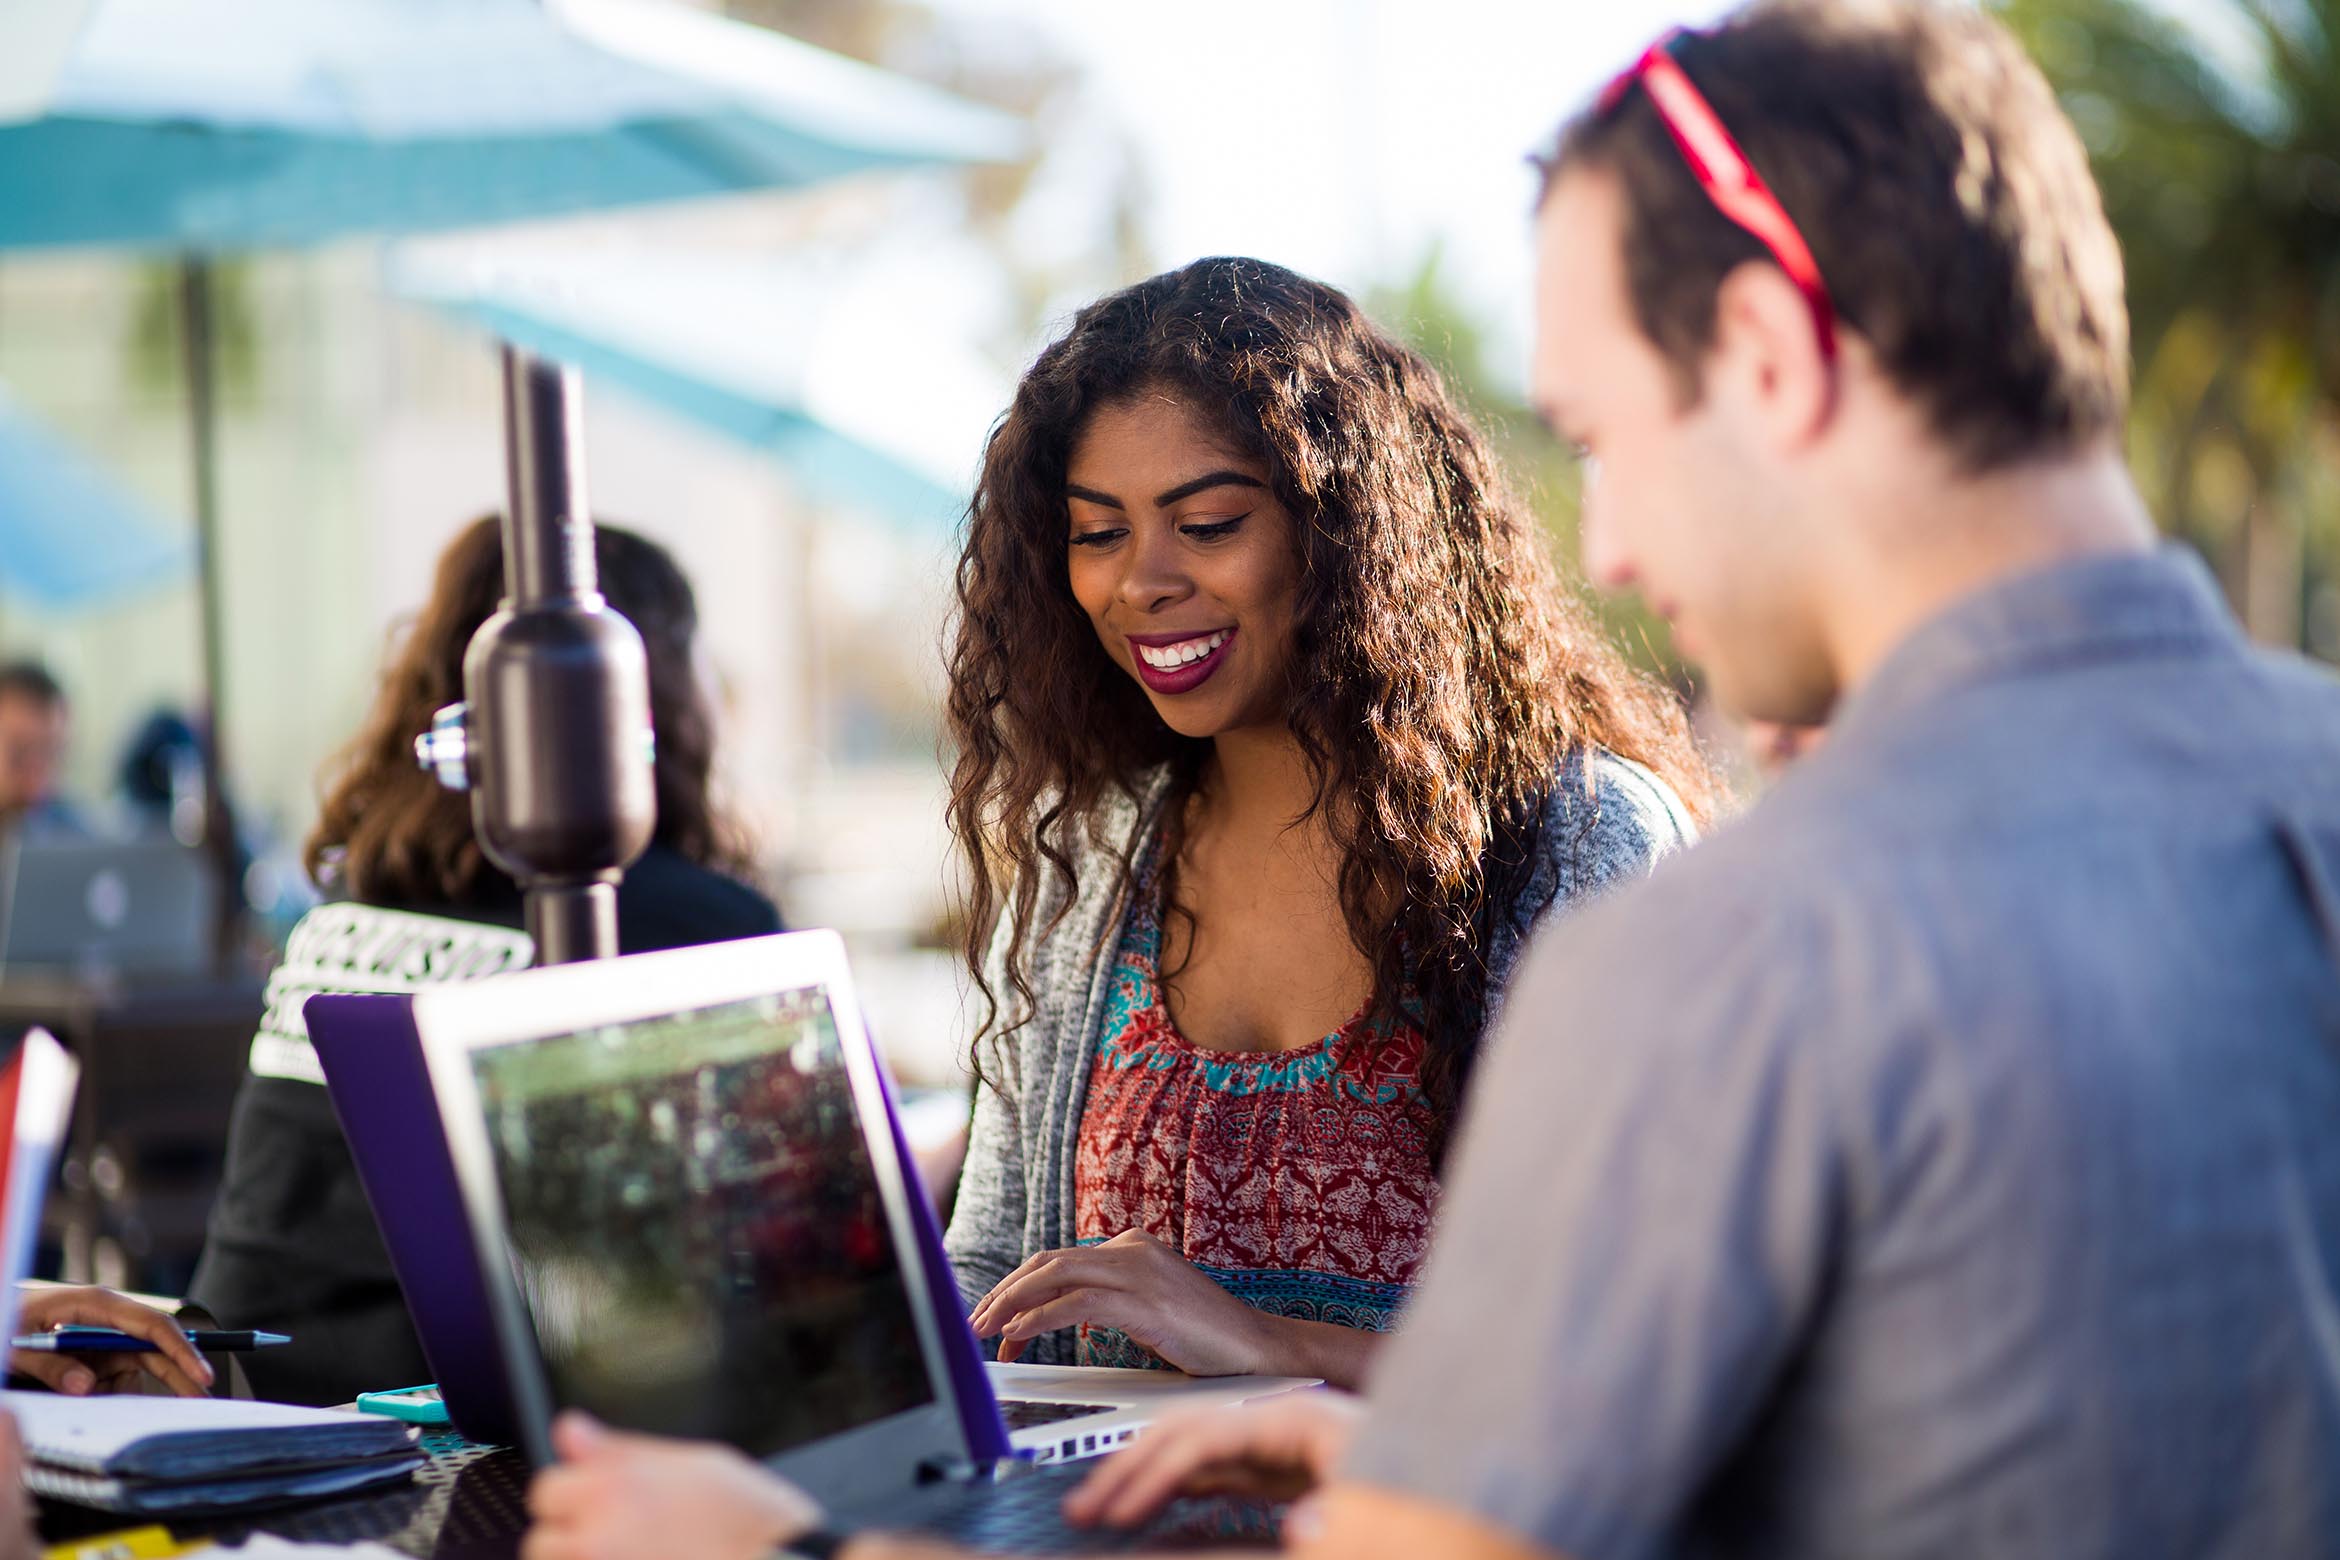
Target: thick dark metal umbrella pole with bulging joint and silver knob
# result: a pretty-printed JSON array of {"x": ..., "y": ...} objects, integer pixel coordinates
[{"x": 553, "y": 738}]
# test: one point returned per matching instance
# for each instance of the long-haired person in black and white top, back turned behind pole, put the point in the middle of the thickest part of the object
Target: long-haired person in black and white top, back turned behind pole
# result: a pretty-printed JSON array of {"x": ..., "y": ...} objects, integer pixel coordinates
[{"x": 413, "y": 899}]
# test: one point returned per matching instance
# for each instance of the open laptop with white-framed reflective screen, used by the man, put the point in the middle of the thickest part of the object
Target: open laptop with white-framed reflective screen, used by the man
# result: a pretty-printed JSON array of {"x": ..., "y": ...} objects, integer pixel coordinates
[{"x": 696, "y": 1217}]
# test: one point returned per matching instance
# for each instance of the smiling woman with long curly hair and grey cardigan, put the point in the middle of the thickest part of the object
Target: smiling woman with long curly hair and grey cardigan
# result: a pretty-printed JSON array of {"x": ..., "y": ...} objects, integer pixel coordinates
[{"x": 1276, "y": 736}]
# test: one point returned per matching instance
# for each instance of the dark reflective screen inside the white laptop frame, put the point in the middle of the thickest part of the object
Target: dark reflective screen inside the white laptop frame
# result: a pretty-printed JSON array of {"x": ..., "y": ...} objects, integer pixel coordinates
[{"x": 696, "y": 1224}]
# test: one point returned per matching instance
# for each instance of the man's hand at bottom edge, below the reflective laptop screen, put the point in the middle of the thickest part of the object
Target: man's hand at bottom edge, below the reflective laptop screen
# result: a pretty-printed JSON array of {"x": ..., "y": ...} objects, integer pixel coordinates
[{"x": 626, "y": 1498}]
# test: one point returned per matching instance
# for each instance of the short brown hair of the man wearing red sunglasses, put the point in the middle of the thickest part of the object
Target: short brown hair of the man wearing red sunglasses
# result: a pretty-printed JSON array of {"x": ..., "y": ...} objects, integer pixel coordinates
[{"x": 1941, "y": 191}]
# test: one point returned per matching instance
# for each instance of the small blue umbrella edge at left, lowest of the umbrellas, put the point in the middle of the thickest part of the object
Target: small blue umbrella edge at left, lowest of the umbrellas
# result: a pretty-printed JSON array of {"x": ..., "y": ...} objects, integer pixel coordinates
[{"x": 69, "y": 534}]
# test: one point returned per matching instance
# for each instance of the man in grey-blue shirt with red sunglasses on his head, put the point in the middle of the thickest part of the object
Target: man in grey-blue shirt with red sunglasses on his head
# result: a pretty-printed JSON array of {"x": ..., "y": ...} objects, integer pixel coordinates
[{"x": 1939, "y": 1161}]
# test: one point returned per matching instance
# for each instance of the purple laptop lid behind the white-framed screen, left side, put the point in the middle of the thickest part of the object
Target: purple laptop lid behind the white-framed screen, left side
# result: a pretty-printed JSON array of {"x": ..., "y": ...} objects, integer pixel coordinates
[{"x": 383, "y": 1093}]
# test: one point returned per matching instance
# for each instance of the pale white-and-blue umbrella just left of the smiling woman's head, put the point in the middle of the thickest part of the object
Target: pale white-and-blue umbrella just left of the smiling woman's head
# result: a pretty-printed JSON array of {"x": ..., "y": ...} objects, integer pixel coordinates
[{"x": 759, "y": 352}]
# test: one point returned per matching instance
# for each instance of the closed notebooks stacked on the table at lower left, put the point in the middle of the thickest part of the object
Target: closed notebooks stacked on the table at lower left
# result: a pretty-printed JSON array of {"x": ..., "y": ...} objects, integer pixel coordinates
[{"x": 151, "y": 1456}]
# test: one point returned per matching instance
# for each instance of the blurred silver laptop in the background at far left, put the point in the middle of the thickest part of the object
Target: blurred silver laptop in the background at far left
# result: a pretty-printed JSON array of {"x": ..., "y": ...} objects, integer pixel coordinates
[{"x": 104, "y": 906}]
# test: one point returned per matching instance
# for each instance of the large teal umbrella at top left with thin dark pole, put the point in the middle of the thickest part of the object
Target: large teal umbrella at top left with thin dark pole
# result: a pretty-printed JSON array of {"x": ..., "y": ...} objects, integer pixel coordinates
[{"x": 205, "y": 127}]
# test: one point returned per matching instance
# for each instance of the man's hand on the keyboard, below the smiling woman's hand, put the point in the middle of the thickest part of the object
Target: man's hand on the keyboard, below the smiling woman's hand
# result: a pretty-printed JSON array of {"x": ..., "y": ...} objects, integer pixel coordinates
[{"x": 1276, "y": 1449}]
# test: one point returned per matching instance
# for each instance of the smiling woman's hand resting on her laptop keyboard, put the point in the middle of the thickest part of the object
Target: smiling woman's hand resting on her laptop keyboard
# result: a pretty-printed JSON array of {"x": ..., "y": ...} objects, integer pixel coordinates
[{"x": 1138, "y": 1285}]
